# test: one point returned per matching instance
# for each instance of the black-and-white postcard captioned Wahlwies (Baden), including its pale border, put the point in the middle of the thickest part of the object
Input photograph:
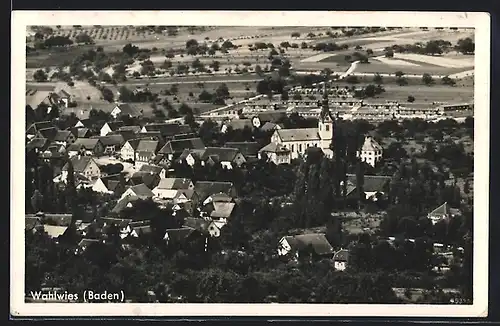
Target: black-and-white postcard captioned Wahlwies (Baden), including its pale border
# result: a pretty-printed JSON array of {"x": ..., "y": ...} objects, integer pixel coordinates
[{"x": 296, "y": 162}]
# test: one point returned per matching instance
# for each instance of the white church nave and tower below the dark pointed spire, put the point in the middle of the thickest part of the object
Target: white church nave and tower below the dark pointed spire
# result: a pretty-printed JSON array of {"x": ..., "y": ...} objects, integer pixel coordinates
[{"x": 299, "y": 140}]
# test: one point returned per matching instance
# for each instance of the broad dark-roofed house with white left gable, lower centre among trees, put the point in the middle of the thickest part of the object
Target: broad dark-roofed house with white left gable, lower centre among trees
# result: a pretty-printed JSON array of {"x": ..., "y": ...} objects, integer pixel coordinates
[{"x": 299, "y": 245}]
